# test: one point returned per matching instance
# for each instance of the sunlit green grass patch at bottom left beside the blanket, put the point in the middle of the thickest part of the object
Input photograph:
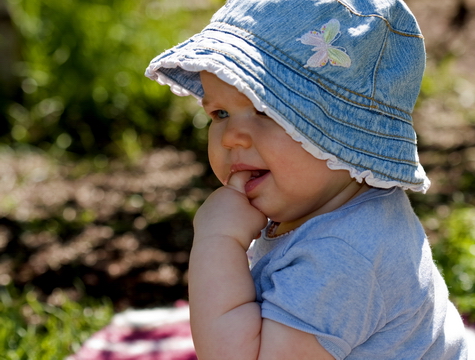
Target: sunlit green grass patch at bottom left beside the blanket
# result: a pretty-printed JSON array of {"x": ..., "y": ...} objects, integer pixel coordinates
[{"x": 35, "y": 330}]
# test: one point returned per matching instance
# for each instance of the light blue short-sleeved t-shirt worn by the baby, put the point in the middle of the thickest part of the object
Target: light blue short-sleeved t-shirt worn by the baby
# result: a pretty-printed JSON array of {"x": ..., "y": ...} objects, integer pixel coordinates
[{"x": 362, "y": 280}]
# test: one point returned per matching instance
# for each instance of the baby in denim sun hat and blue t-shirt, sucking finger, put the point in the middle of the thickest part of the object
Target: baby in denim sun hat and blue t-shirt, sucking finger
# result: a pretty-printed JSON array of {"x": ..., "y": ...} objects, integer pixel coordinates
[{"x": 312, "y": 138}]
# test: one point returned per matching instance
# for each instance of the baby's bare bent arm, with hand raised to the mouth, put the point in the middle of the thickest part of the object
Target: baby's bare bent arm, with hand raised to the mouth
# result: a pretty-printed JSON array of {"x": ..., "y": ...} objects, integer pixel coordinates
[{"x": 225, "y": 319}]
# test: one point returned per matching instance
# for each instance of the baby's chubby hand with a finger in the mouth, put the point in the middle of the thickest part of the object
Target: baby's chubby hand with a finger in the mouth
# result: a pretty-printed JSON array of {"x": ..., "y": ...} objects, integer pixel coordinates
[{"x": 228, "y": 213}]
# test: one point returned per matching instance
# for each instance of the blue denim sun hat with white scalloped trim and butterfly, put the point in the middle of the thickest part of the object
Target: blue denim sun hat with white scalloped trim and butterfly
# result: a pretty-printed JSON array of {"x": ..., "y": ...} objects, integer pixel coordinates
[{"x": 340, "y": 76}]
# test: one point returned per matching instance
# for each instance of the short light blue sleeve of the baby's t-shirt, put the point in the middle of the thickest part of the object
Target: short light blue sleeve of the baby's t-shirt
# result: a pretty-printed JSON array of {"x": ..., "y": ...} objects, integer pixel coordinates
[{"x": 326, "y": 288}]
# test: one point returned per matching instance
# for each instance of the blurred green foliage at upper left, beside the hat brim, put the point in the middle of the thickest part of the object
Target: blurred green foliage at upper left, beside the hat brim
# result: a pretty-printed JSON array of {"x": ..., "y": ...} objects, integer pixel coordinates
[{"x": 81, "y": 75}]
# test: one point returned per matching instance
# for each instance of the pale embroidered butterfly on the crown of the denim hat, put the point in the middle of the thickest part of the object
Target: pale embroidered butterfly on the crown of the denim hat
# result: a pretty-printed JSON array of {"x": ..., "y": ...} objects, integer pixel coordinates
[{"x": 322, "y": 41}]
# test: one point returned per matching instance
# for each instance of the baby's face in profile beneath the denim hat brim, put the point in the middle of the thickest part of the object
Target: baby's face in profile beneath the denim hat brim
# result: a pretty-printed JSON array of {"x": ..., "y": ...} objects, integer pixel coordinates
[{"x": 287, "y": 184}]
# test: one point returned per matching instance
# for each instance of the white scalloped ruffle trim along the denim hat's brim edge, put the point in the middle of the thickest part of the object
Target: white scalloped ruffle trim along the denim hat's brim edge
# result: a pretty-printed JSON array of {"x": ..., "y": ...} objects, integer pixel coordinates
[{"x": 229, "y": 77}]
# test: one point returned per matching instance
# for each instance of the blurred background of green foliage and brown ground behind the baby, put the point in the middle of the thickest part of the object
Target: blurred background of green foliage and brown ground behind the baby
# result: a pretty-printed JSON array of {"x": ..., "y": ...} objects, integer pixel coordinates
[{"x": 101, "y": 169}]
